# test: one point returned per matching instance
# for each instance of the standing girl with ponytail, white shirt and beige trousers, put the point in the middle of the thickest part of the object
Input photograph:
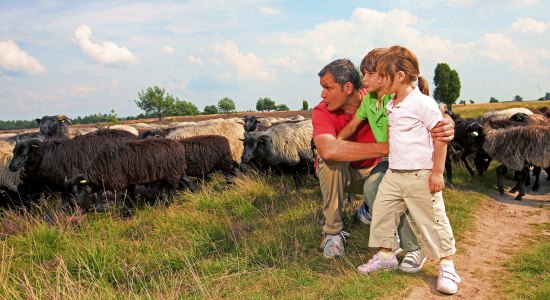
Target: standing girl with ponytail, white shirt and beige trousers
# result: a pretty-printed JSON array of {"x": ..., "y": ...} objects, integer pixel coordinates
[{"x": 414, "y": 180}]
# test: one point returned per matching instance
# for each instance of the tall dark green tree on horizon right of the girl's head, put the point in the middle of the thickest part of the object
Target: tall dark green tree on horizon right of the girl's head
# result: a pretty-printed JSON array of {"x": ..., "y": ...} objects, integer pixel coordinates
[{"x": 447, "y": 85}]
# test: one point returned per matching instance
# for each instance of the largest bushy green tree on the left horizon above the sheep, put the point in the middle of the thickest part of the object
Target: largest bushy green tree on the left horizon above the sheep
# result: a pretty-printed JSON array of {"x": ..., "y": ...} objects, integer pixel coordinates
[{"x": 154, "y": 101}]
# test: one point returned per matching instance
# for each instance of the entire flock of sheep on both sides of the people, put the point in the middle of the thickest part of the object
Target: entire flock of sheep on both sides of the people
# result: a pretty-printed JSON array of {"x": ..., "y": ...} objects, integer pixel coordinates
[{"x": 88, "y": 165}]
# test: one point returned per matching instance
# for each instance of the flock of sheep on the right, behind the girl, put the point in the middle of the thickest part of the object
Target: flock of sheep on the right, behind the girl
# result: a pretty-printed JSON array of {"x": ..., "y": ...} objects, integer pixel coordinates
[{"x": 518, "y": 138}]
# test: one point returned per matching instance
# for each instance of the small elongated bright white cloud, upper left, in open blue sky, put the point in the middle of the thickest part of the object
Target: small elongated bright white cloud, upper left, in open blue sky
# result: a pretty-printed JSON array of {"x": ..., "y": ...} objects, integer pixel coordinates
[{"x": 107, "y": 52}]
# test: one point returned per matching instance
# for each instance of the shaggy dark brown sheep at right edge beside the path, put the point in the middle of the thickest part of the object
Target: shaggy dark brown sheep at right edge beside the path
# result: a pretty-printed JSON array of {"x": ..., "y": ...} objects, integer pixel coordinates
[{"x": 530, "y": 145}]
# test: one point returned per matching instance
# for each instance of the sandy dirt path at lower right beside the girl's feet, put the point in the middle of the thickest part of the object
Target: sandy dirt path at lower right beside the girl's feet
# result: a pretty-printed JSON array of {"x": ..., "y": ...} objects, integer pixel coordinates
[{"x": 502, "y": 226}]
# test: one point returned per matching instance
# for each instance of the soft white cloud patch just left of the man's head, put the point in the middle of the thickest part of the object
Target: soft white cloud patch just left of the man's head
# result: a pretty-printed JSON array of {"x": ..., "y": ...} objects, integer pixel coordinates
[{"x": 248, "y": 65}]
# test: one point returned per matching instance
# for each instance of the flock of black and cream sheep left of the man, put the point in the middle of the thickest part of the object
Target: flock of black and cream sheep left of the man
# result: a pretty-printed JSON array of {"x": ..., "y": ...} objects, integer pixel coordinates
[{"x": 83, "y": 164}]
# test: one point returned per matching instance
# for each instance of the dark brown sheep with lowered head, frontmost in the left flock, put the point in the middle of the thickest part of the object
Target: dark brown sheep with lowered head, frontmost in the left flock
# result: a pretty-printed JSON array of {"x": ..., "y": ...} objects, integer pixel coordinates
[{"x": 123, "y": 164}]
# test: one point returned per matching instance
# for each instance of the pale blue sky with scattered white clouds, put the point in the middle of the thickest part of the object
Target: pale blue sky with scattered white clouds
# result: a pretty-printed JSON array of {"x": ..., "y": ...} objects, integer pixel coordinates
[{"x": 80, "y": 58}]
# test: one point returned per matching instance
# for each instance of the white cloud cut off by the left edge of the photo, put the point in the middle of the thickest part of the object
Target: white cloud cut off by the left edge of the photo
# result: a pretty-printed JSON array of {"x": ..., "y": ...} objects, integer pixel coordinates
[{"x": 12, "y": 58}]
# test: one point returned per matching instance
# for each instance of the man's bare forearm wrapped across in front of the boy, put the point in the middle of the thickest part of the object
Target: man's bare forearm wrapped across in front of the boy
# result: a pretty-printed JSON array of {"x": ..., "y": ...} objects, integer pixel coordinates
[{"x": 332, "y": 149}]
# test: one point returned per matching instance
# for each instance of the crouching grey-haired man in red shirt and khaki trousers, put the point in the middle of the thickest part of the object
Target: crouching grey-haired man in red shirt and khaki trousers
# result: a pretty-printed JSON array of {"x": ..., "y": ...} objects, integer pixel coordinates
[{"x": 344, "y": 166}]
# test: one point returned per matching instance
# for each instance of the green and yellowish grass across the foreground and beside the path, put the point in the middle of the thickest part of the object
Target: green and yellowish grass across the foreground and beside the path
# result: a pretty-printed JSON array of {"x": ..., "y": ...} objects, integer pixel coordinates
[{"x": 258, "y": 239}]
